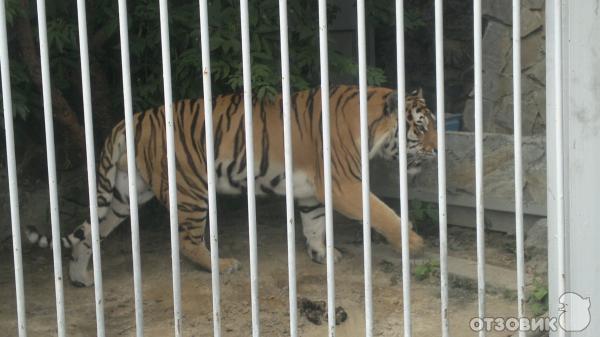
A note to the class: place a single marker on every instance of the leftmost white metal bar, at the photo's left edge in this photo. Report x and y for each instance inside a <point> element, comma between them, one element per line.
<point>12,174</point>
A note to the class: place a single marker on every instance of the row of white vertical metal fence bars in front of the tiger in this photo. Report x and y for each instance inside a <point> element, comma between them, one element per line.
<point>558,245</point>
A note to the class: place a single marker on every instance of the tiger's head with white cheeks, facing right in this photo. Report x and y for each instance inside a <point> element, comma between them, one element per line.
<point>421,133</point>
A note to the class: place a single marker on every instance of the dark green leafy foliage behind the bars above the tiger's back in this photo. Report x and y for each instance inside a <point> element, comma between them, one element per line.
<point>225,45</point>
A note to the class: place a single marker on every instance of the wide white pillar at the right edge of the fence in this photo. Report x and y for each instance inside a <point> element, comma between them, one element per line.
<point>579,23</point>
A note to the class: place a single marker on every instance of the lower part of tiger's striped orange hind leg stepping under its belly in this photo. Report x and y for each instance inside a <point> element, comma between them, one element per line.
<point>193,244</point>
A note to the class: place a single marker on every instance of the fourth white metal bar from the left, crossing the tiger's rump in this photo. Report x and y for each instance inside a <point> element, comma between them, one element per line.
<point>131,170</point>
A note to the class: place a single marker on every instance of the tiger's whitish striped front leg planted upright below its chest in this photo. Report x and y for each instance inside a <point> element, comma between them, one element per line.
<point>312,213</point>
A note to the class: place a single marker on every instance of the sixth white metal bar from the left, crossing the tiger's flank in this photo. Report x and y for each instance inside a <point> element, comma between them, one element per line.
<point>210,169</point>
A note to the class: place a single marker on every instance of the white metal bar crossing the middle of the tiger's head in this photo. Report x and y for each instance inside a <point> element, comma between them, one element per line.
<point>403,167</point>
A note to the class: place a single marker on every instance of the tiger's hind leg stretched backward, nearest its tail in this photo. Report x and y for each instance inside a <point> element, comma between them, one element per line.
<point>109,217</point>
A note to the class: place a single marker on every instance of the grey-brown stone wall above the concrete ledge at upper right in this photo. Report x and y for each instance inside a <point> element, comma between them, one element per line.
<point>497,68</point>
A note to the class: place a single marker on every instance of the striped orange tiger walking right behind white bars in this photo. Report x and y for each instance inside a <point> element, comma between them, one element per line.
<point>230,165</point>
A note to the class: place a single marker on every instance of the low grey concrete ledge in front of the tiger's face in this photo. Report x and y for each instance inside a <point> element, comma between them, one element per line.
<point>460,171</point>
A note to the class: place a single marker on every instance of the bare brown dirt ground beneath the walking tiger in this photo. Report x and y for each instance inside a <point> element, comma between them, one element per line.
<point>235,288</point>
